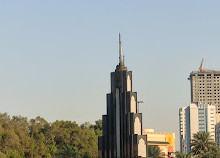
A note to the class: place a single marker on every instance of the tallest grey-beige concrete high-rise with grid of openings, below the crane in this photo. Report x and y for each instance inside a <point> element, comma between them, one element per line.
<point>205,87</point>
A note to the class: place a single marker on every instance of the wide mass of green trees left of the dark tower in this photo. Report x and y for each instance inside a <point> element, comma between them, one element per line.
<point>20,138</point>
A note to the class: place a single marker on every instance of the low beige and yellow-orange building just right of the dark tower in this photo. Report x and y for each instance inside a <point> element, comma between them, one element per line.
<point>165,141</point>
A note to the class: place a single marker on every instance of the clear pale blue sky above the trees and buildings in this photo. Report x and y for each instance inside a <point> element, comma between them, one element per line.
<point>56,56</point>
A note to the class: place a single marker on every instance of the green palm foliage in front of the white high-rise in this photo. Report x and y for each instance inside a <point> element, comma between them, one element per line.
<point>204,146</point>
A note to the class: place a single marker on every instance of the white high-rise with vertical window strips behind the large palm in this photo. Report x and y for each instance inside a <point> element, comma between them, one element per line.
<point>195,118</point>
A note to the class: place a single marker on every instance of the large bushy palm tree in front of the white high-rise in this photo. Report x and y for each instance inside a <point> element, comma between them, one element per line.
<point>202,143</point>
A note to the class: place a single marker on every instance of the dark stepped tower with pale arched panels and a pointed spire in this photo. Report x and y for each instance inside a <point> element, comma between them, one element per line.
<point>122,126</point>
